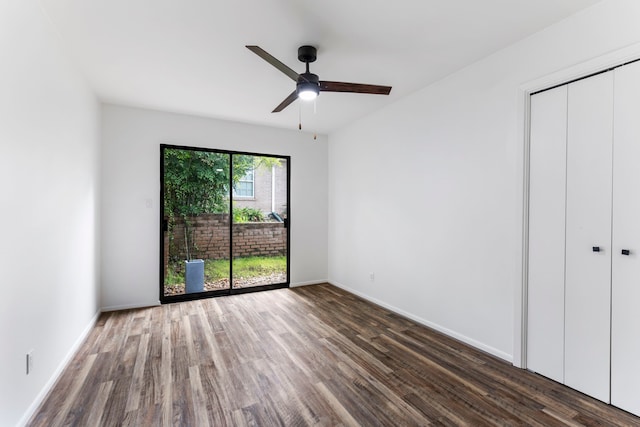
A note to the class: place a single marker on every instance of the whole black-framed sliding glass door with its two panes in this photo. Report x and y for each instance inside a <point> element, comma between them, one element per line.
<point>224,222</point>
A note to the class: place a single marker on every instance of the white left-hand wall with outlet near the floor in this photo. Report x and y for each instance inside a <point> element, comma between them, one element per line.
<point>49,193</point>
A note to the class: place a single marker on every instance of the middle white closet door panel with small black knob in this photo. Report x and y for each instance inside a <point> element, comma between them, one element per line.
<point>588,273</point>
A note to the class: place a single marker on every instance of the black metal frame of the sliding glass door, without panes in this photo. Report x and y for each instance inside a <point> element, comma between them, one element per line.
<point>163,225</point>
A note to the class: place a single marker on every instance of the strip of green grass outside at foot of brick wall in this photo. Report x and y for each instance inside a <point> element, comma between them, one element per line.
<point>219,269</point>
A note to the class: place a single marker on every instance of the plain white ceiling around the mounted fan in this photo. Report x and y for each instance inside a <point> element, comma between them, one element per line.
<point>188,56</point>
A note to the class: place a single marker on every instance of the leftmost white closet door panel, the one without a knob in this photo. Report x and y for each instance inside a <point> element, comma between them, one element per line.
<point>547,167</point>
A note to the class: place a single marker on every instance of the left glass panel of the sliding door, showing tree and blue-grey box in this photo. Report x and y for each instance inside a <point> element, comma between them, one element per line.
<point>196,221</point>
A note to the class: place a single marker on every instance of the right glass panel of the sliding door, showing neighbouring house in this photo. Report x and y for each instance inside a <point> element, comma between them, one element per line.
<point>260,213</point>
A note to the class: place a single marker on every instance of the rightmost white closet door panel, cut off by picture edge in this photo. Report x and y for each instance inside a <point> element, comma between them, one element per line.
<point>625,327</point>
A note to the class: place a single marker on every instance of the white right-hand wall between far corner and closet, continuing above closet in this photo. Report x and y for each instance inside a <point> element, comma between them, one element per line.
<point>434,201</point>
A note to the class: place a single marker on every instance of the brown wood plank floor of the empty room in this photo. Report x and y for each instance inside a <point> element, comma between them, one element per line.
<point>314,355</point>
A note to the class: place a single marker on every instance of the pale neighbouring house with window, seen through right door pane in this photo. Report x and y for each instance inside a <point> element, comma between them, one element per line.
<point>263,188</point>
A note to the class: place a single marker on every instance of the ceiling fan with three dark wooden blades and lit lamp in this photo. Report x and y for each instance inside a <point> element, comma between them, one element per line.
<point>309,85</point>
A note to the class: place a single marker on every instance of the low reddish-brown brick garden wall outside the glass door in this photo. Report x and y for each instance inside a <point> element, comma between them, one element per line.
<point>211,235</point>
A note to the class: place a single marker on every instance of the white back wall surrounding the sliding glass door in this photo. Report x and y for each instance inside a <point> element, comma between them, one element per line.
<point>131,177</point>
